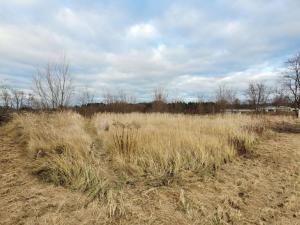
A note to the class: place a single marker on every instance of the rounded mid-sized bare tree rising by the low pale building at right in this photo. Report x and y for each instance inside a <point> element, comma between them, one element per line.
<point>257,94</point>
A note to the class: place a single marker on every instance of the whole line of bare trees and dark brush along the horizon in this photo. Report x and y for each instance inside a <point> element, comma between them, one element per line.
<point>54,89</point>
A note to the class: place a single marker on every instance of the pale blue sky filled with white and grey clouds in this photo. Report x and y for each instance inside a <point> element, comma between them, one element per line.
<point>186,47</point>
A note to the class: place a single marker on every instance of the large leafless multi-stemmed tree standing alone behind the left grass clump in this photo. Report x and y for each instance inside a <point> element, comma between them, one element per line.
<point>53,85</point>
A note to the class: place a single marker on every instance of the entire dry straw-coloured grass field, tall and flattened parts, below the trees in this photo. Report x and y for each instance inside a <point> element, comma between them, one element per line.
<point>61,168</point>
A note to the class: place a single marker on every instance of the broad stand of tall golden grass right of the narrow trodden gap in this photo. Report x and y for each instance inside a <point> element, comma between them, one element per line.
<point>166,145</point>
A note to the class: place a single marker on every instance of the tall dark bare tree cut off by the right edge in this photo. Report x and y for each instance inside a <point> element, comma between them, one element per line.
<point>292,79</point>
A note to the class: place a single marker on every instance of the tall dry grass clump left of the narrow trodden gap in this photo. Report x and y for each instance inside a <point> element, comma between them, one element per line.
<point>61,151</point>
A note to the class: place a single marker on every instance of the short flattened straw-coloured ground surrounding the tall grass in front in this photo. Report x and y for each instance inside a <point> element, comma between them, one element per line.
<point>264,189</point>
